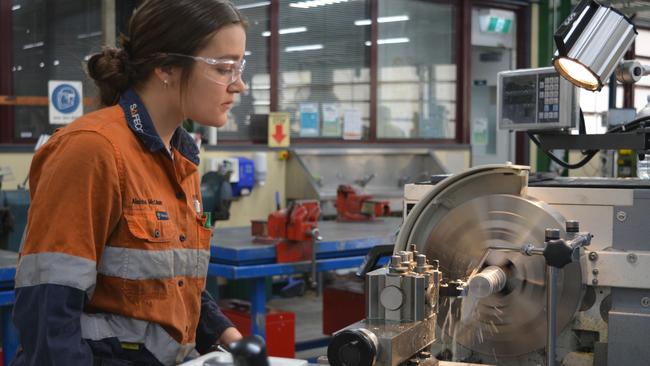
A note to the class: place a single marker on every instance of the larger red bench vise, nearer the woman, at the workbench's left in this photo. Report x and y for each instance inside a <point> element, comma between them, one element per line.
<point>293,230</point>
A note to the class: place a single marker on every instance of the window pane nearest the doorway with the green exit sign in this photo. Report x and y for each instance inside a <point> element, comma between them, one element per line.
<point>417,70</point>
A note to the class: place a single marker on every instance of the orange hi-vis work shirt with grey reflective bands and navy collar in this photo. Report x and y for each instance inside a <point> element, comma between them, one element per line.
<point>116,214</point>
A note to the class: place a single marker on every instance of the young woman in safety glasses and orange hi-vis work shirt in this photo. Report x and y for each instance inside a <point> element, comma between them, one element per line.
<point>112,269</point>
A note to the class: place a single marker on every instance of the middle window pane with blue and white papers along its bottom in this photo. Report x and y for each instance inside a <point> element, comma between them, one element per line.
<point>324,77</point>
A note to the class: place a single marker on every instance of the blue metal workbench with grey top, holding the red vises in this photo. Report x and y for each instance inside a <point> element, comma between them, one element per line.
<point>344,245</point>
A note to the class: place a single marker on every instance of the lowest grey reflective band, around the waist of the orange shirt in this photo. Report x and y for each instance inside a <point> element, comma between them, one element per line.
<point>157,341</point>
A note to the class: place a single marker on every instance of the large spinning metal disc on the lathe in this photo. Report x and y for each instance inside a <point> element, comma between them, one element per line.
<point>511,322</point>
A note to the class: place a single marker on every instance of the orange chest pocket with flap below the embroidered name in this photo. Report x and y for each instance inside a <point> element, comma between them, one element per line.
<point>144,224</point>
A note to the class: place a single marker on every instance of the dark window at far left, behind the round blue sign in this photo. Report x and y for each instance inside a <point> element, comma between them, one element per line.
<point>51,41</point>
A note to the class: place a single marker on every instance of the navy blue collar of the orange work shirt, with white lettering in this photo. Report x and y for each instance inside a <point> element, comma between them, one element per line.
<point>141,124</point>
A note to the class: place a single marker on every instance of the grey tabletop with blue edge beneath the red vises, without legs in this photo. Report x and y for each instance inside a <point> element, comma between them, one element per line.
<point>235,246</point>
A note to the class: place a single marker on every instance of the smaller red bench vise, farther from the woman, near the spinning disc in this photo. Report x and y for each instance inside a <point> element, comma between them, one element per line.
<point>352,205</point>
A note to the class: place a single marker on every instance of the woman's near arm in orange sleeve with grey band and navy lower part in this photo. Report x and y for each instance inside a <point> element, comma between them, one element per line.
<point>75,205</point>
